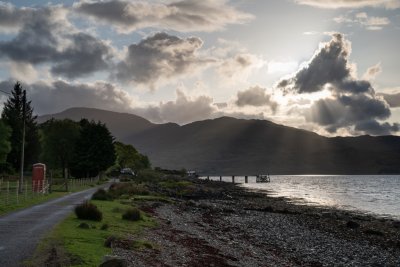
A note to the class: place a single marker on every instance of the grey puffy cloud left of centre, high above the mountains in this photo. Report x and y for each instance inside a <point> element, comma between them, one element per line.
<point>161,56</point>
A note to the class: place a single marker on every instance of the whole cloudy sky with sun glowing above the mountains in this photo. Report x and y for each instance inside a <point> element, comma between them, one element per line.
<point>327,66</point>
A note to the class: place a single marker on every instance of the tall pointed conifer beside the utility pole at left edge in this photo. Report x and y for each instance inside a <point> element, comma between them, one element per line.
<point>13,116</point>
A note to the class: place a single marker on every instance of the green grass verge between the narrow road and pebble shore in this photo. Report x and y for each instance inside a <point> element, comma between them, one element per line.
<point>85,247</point>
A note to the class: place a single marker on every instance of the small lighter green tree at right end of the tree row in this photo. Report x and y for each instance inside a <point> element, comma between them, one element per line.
<point>129,157</point>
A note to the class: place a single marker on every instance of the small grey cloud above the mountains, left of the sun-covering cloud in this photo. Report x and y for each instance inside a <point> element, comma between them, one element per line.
<point>255,96</point>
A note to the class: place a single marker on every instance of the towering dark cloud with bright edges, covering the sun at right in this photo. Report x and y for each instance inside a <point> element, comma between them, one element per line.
<point>352,104</point>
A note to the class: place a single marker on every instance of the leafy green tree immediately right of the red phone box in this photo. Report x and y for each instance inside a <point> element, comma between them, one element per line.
<point>59,138</point>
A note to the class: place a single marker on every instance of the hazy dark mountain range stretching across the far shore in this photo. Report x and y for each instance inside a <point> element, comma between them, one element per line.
<point>229,146</point>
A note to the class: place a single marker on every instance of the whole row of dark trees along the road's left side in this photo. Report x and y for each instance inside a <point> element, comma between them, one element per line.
<point>76,149</point>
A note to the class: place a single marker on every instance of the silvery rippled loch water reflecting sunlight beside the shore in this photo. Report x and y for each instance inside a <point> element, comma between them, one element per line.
<point>373,194</point>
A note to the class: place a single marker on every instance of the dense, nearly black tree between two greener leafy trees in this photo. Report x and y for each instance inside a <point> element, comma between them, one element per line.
<point>94,150</point>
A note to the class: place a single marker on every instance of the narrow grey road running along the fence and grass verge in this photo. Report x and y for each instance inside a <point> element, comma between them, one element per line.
<point>21,231</point>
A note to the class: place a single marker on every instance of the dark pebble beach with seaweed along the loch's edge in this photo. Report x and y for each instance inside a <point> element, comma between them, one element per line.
<point>221,224</point>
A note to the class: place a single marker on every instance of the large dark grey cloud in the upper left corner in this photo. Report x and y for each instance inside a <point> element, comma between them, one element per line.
<point>47,37</point>
